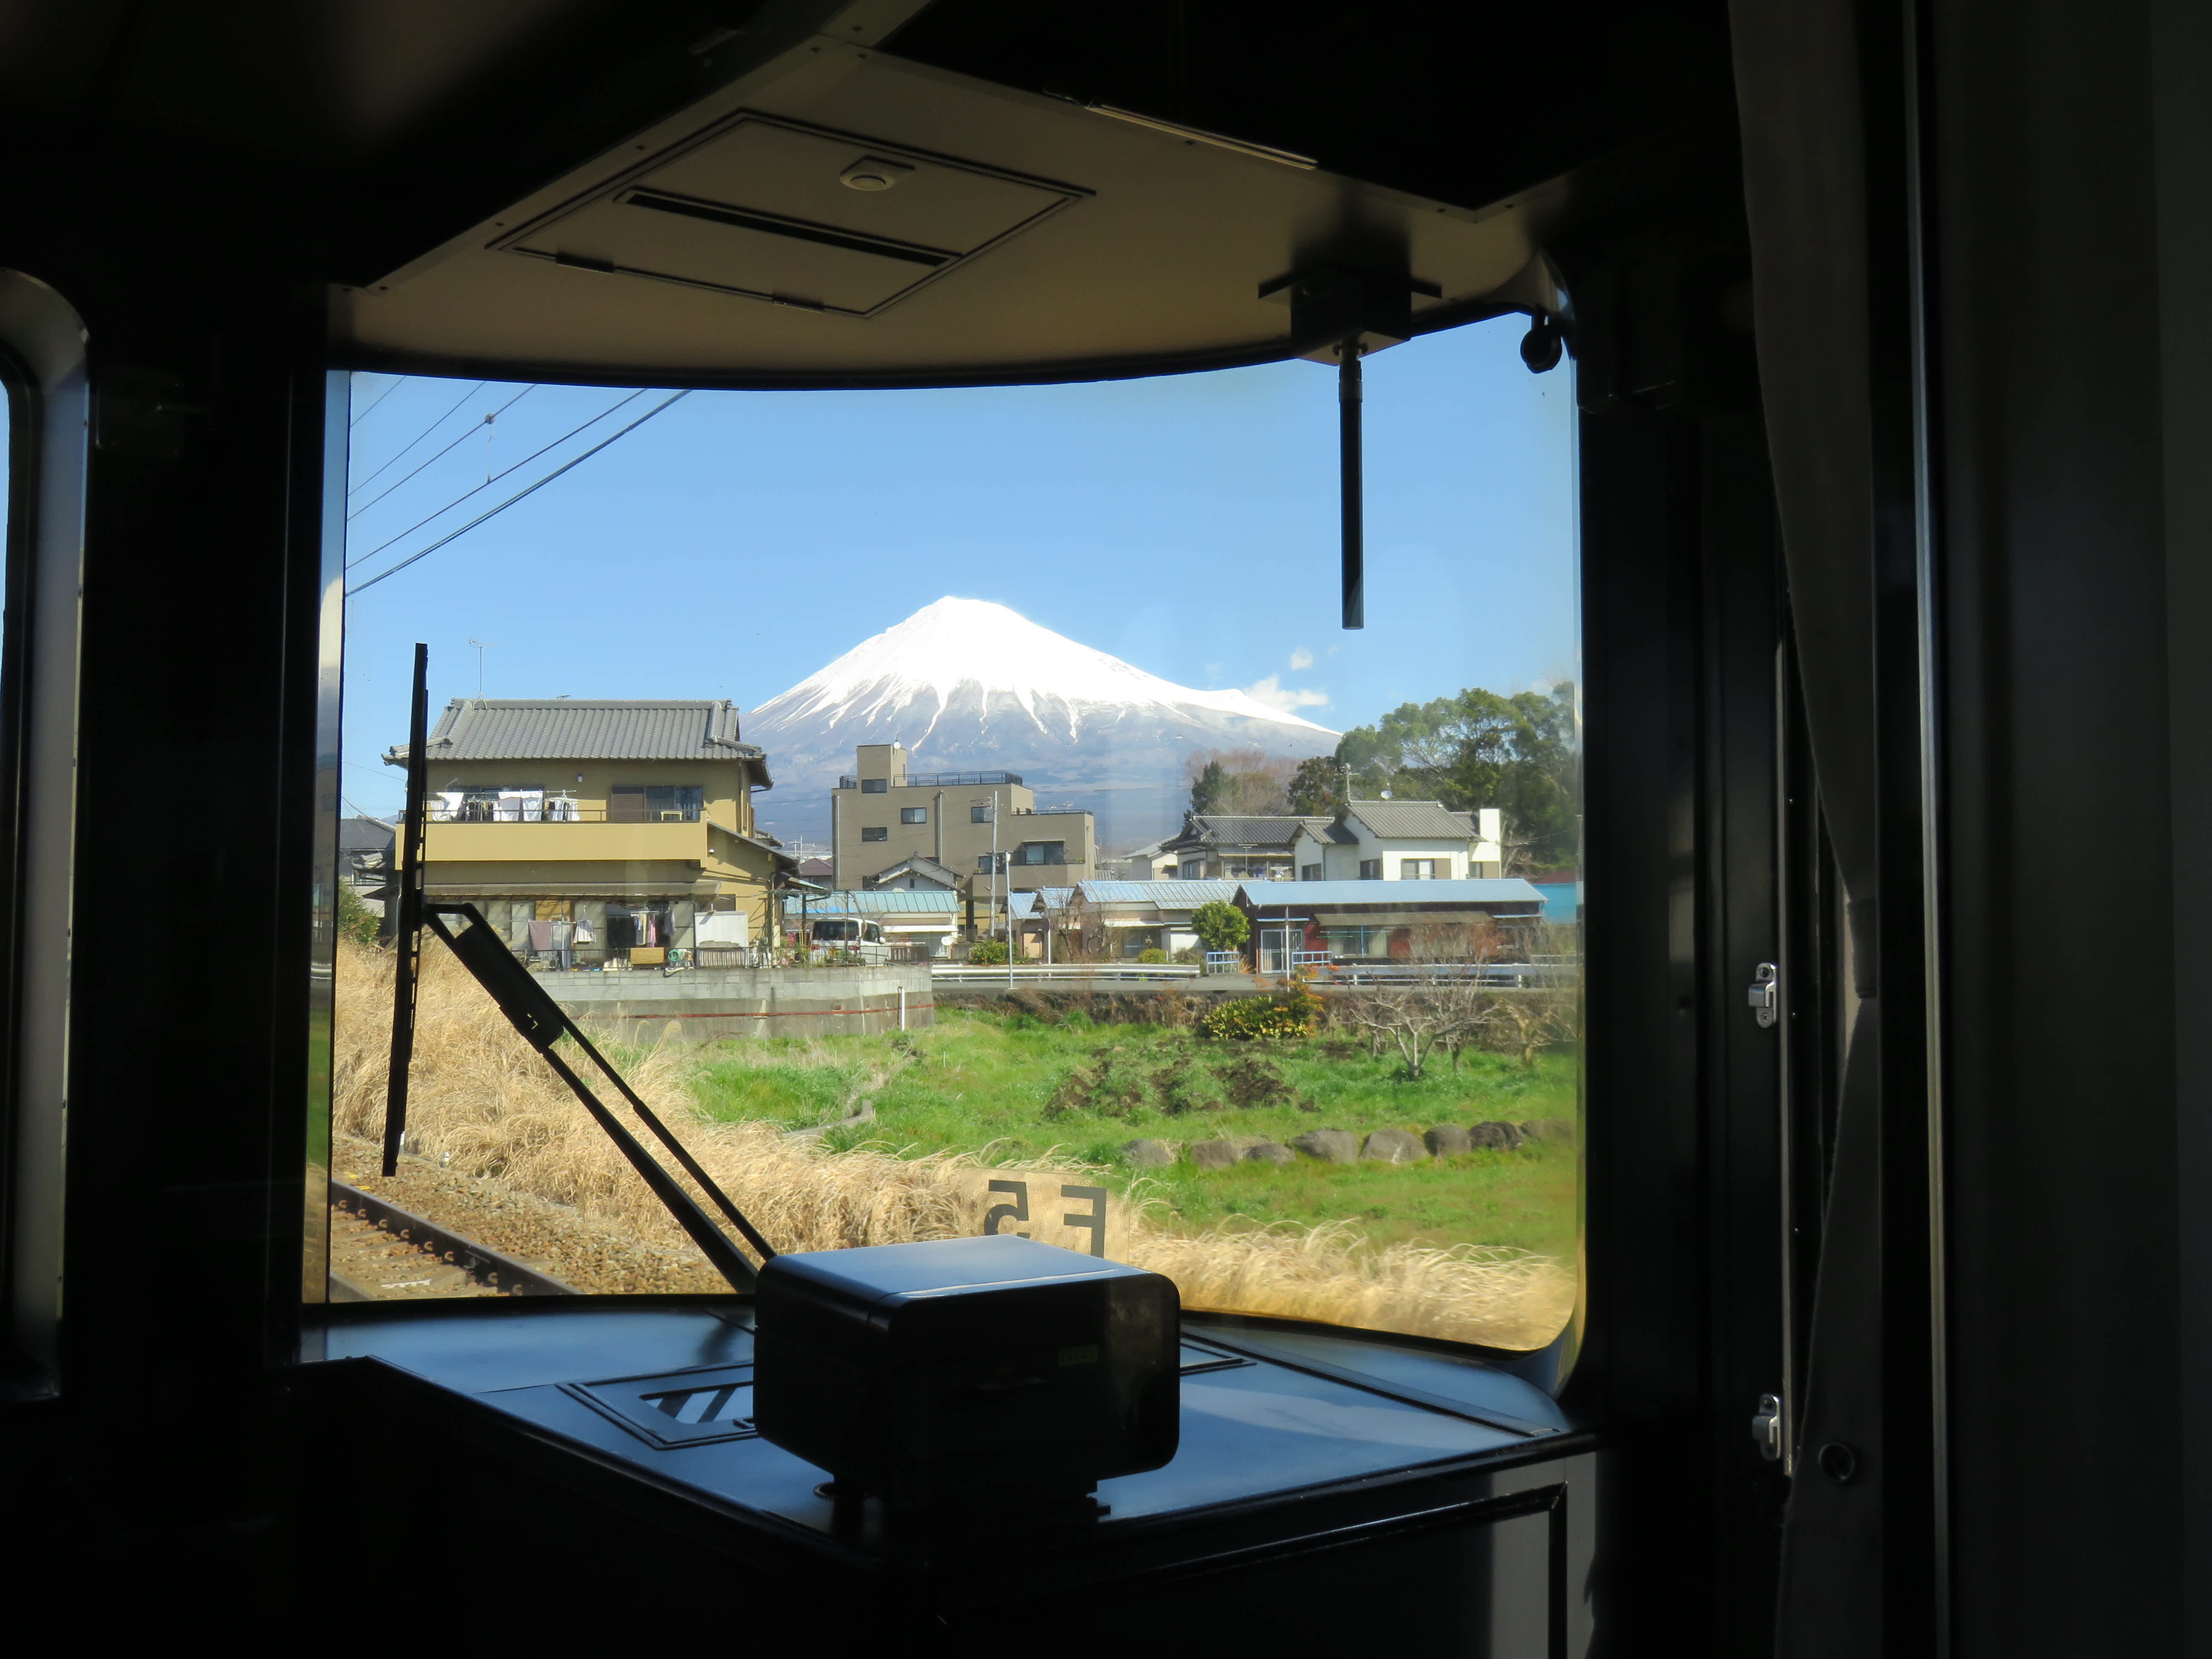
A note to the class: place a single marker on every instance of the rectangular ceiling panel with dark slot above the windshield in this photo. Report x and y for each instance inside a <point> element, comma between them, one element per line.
<point>797,216</point>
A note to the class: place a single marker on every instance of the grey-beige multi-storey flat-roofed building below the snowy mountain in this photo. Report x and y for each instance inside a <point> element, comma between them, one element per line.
<point>884,815</point>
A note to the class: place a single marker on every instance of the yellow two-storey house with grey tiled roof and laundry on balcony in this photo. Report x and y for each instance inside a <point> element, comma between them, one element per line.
<point>601,831</point>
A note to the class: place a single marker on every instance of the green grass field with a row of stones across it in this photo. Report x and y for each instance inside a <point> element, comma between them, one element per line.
<point>1023,1089</point>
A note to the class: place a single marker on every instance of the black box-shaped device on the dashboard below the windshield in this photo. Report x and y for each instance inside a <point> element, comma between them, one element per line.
<point>968,1370</point>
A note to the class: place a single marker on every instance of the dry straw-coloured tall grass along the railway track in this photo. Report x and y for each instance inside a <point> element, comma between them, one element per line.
<point>486,1103</point>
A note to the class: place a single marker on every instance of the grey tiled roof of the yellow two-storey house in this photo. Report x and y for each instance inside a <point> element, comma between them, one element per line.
<point>567,729</point>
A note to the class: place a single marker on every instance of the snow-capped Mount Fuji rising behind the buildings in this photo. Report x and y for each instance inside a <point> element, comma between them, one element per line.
<point>972,687</point>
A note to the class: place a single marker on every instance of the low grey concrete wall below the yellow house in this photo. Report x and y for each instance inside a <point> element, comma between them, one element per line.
<point>705,1005</point>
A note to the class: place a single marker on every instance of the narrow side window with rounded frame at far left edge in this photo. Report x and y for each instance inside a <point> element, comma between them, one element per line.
<point>43,417</point>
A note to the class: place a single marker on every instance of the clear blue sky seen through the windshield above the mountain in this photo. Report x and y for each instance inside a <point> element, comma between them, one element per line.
<point>1187,523</point>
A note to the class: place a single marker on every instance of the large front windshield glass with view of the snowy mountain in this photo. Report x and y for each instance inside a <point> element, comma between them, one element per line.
<point>961,811</point>
